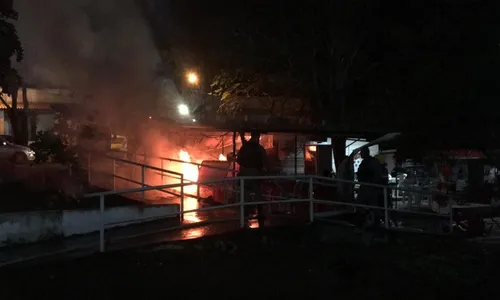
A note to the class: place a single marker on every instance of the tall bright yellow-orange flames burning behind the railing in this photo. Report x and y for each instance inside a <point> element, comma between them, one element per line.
<point>190,172</point>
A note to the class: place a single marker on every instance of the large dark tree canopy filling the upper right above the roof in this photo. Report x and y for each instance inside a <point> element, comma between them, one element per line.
<point>361,65</point>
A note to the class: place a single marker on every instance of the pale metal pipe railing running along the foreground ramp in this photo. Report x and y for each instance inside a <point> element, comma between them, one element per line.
<point>242,203</point>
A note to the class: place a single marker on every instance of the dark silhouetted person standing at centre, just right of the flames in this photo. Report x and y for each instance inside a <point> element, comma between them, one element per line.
<point>252,159</point>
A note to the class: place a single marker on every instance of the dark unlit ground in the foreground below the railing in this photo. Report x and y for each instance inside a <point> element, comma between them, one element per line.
<point>274,263</point>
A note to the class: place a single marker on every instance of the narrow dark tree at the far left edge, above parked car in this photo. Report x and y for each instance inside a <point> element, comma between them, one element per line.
<point>10,81</point>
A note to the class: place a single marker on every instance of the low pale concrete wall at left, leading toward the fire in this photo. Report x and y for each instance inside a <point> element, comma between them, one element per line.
<point>29,227</point>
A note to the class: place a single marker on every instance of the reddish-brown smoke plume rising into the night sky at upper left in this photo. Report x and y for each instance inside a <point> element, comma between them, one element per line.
<point>102,50</point>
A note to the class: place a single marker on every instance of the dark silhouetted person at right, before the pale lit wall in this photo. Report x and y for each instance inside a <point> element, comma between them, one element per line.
<point>369,171</point>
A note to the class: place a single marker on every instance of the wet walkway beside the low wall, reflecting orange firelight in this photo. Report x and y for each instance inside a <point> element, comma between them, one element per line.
<point>208,223</point>
